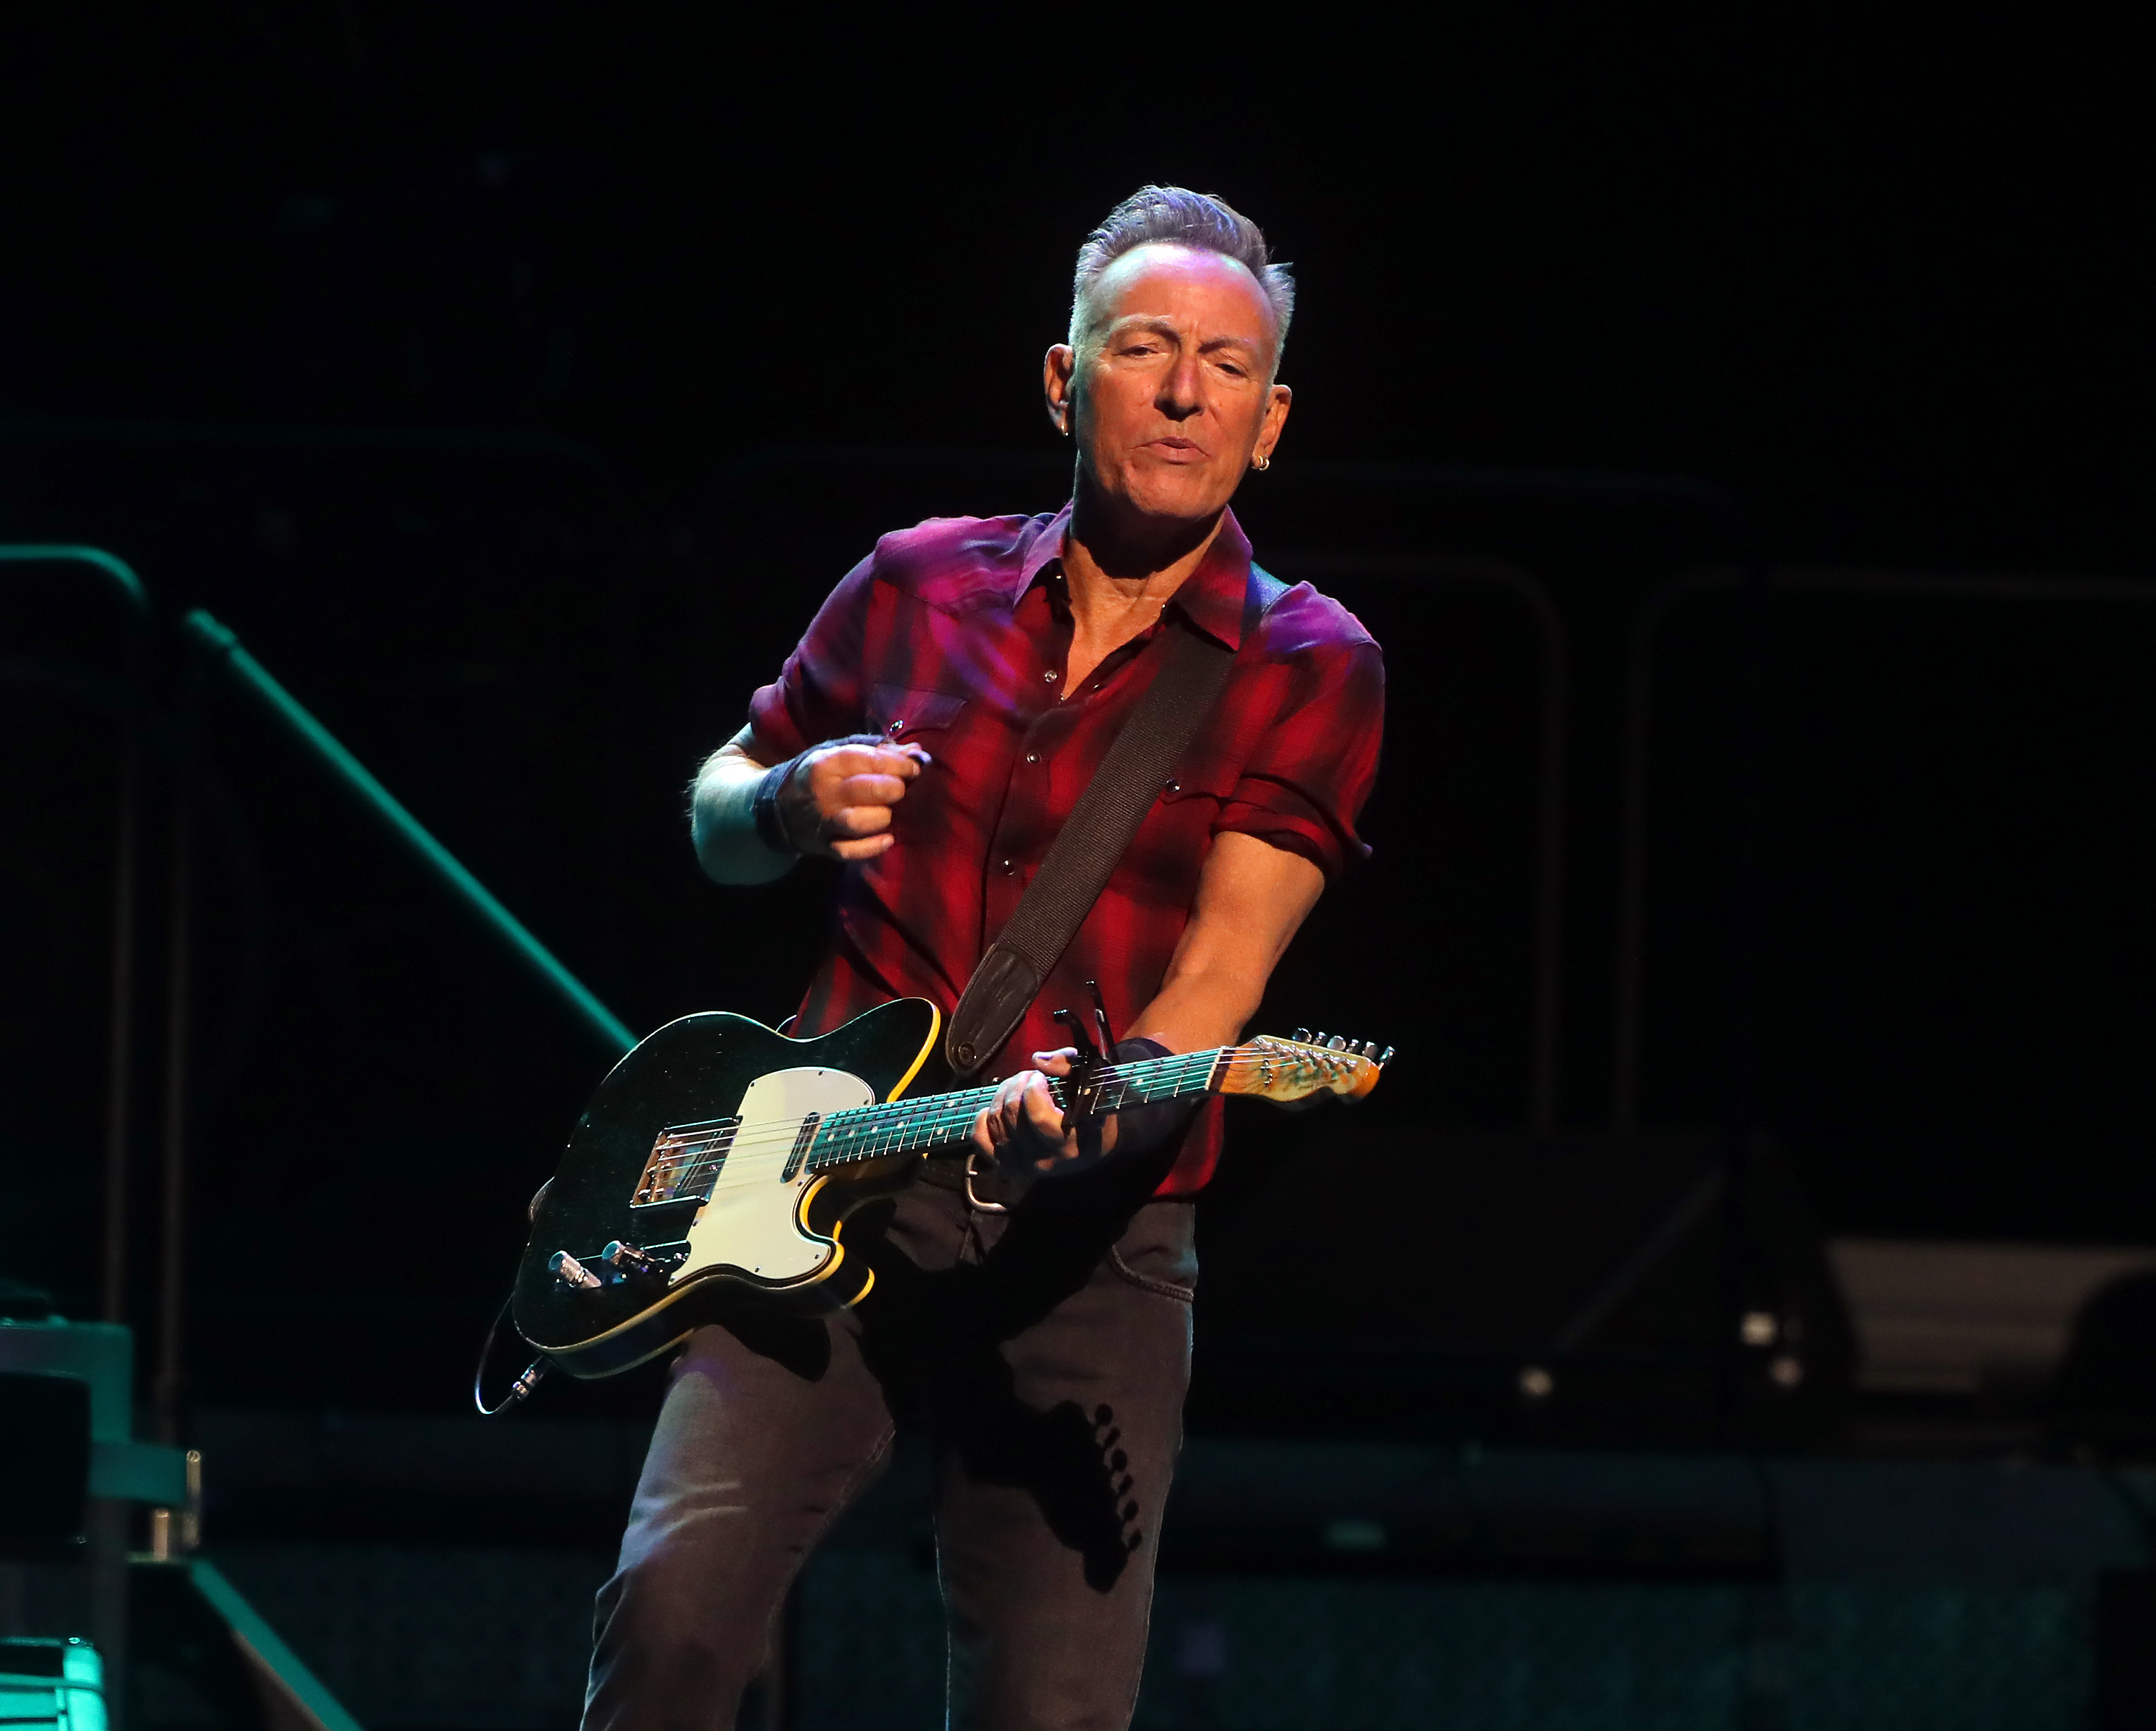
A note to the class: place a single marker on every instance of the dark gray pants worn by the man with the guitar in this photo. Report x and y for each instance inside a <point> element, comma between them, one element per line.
<point>1047,1353</point>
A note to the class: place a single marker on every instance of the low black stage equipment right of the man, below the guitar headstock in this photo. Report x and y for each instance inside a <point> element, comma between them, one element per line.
<point>1515,1288</point>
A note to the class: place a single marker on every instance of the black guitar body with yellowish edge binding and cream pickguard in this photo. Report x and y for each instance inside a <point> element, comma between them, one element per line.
<point>723,1098</point>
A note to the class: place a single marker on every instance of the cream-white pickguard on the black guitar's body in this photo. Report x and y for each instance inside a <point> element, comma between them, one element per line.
<point>749,1221</point>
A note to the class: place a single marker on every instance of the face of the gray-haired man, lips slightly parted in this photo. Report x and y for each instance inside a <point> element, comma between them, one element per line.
<point>1172,385</point>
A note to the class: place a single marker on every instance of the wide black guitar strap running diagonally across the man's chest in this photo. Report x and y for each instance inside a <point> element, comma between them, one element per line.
<point>1094,837</point>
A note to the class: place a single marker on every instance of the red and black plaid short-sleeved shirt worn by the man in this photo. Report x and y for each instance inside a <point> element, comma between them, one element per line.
<point>956,635</point>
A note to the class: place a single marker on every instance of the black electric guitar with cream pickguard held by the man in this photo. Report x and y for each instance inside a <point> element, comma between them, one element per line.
<point>719,1161</point>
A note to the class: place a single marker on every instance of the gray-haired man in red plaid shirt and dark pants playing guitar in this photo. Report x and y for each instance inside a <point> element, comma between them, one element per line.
<point>935,730</point>
